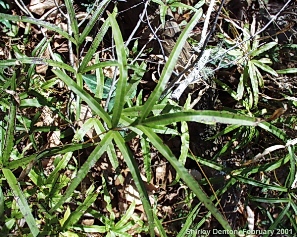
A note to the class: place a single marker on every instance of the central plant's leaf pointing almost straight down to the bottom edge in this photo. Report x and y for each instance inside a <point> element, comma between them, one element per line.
<point>133,167</point>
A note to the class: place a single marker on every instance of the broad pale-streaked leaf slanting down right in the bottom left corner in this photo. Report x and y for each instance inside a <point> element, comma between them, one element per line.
<point>21,201</point>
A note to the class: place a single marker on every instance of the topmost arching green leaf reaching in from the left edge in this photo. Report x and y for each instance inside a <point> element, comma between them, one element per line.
<point>35,21</point>
